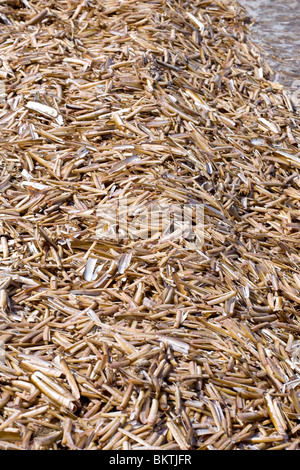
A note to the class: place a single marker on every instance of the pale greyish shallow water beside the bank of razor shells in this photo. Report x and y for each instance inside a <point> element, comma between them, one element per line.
<point>277,32</point>
